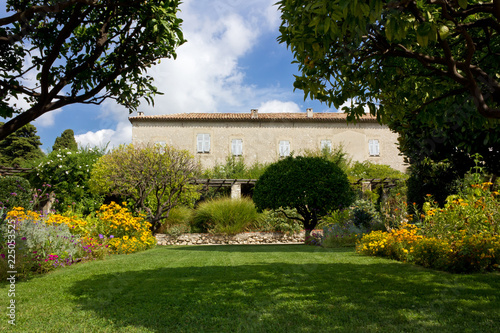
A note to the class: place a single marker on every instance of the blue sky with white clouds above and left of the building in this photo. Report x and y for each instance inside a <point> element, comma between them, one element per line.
<point>230,63</point>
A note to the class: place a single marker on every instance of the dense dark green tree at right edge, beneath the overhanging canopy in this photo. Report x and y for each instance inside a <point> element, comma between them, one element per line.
<point>449,133</point>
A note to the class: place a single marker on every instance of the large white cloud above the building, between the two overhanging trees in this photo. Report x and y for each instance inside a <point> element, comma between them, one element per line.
<point>206,76</point>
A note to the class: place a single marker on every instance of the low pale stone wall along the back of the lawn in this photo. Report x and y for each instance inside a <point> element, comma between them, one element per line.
<point>242,238</point>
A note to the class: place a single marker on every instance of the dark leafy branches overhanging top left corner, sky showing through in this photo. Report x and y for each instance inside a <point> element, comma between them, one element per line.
<point>81,51</point>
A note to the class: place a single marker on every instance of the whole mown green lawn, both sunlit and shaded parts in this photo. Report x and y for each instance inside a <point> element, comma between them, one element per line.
<point>275,288</point>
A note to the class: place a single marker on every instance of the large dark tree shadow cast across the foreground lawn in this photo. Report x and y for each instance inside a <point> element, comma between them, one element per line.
<point>384,297</point>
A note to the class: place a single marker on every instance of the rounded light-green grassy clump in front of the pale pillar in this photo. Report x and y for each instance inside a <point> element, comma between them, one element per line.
<point>226,215</point>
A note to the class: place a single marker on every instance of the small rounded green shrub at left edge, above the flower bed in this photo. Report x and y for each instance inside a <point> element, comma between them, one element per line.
<point>14,192</point>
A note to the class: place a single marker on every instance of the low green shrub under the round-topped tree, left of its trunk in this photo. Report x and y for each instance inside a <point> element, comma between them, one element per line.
<point>278,221</point>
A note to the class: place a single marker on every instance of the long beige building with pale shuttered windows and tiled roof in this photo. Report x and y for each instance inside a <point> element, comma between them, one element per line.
<point>266,137</point>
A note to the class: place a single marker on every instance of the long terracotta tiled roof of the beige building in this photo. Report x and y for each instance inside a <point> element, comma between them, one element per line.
<point>302,116</point>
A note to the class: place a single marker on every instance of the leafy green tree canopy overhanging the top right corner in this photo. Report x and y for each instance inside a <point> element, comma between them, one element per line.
<point>395,57</point>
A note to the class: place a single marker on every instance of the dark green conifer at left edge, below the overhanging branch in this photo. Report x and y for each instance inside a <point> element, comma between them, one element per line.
<point>20,147</point>
